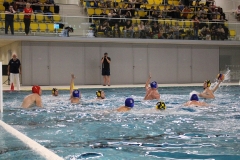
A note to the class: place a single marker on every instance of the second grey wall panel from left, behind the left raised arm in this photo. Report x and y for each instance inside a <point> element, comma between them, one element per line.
<point>66,58</point>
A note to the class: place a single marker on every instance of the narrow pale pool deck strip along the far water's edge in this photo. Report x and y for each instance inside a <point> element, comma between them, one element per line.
<point>27,88</point>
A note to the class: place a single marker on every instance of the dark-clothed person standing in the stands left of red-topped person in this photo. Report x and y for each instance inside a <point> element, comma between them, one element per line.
<point>9,19</point>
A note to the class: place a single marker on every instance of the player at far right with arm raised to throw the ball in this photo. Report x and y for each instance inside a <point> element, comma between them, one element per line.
<point>208,93</point>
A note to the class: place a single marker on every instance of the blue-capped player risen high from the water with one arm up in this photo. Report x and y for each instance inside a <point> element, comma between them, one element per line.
<point>151,92</point>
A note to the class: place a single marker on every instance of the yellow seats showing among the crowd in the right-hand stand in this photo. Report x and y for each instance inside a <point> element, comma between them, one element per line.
<point>143,13</point>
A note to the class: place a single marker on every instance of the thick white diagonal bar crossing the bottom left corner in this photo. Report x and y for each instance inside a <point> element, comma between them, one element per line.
<point>46,153</point>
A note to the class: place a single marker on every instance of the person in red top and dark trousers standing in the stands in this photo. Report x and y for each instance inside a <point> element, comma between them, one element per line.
<point>27,17</point>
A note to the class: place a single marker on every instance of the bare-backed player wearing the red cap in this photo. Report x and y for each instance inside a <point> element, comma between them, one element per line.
<point>34,98</point>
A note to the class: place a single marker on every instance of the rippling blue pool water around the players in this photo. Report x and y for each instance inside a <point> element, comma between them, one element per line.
<point>93,129</point>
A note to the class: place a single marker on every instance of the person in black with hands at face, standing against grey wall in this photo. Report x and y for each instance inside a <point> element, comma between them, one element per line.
<point>106,69</point>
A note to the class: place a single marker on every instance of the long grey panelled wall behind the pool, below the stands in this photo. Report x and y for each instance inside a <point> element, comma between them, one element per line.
<point>52,63</point>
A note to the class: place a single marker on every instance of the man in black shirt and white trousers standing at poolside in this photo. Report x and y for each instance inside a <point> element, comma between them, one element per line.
<point>14,69</point>
